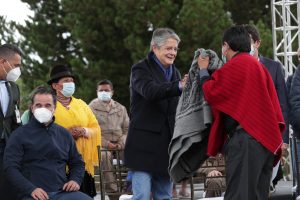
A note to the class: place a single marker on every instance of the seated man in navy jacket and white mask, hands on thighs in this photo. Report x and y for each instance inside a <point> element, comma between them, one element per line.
<point>37,155</point>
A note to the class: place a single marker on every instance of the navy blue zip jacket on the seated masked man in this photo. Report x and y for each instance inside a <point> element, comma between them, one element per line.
<point>36,156</point>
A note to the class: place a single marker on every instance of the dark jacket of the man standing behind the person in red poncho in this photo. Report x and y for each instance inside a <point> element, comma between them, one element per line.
<point>276,71</point>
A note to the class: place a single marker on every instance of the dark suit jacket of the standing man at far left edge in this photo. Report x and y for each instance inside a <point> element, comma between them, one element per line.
<point>9,122</point>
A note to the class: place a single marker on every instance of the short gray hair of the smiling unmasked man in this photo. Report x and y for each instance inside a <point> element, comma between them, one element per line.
<point>160,35</point>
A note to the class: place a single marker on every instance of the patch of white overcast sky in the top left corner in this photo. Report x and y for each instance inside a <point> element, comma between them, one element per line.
<point>14,10</point>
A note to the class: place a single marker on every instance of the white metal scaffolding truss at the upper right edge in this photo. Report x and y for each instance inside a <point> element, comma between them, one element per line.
<point>286,32</point>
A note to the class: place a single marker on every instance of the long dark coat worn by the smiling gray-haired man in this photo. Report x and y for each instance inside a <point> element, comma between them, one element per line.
<point>153,102</point>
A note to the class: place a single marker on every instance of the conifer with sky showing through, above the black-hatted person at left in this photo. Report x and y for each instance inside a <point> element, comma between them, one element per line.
<point>46,42</point>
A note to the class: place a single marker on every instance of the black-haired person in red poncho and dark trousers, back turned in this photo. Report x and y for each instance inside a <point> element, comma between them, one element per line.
<point>247,116</point>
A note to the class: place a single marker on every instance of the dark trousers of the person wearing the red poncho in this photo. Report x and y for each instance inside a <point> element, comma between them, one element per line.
<point>248,168</point>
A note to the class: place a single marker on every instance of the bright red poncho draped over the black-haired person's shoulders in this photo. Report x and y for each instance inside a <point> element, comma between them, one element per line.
<point>244,90</point>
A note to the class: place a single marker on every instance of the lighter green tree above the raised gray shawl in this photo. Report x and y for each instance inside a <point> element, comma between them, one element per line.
<point>200,24</point>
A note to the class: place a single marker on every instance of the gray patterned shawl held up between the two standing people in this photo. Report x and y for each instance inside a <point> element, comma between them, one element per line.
<point>188,146</point>
